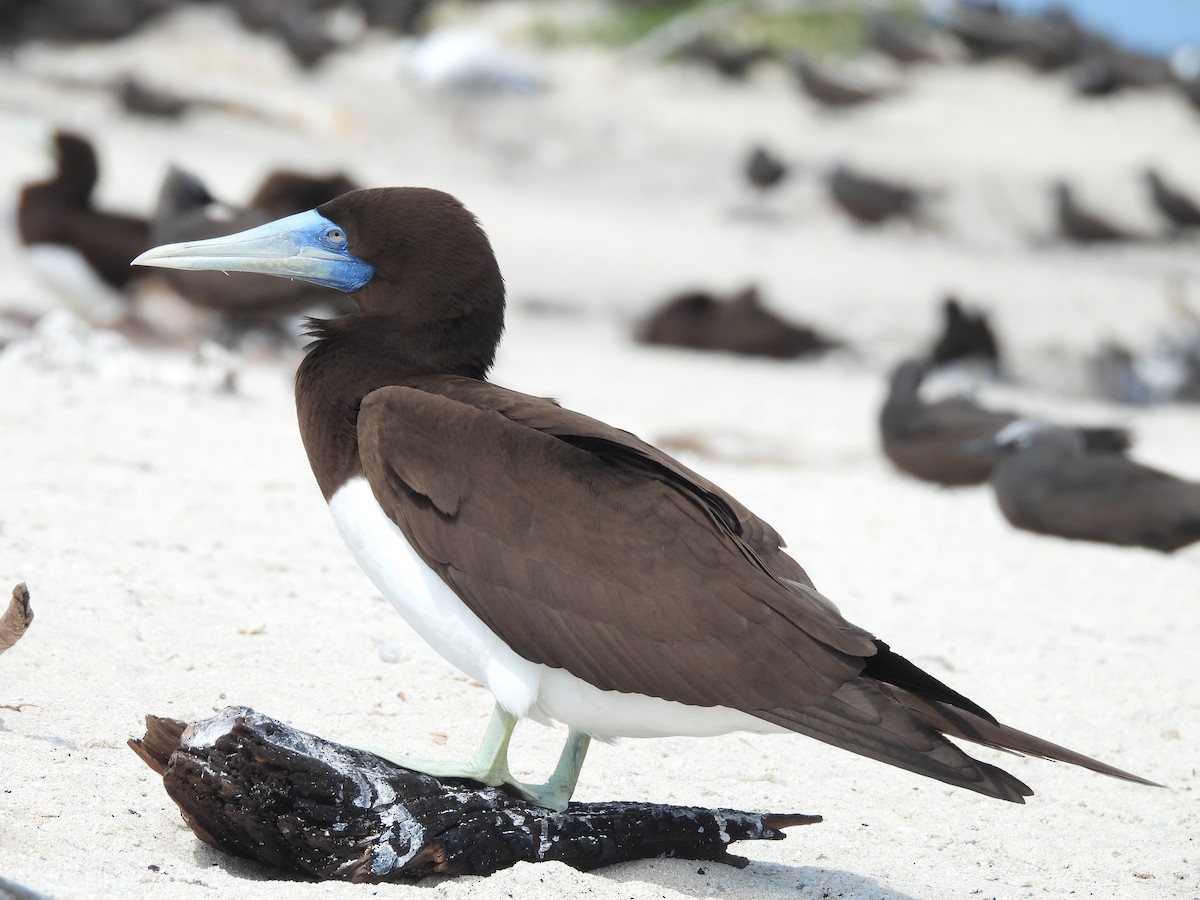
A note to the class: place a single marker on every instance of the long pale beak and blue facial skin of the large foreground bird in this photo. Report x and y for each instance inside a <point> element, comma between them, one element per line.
<point>308,247</point>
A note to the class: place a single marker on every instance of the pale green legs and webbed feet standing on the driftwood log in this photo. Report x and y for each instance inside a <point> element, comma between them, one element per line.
<point>491,765</point>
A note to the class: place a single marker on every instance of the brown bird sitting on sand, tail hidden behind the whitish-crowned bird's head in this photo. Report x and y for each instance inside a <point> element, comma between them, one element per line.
<point>949,442</point>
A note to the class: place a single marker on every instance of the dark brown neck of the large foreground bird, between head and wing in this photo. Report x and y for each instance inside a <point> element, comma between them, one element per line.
<point>357,355</point>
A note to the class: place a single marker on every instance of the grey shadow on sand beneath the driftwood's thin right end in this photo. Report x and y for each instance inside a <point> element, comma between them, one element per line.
<point>759,880</point>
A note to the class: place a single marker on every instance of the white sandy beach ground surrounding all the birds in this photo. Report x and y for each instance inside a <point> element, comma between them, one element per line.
<point>181,559</point>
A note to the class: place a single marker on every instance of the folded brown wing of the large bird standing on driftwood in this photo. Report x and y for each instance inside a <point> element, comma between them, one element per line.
<point>623,575</point>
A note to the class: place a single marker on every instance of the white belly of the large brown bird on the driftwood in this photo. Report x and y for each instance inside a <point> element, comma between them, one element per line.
<point>524,688</point>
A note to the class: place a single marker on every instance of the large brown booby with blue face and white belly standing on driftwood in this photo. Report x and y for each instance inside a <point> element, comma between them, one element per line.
<point>580,574</point>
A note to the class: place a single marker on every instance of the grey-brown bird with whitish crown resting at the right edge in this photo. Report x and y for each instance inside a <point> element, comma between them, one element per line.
<point>1047,483</point>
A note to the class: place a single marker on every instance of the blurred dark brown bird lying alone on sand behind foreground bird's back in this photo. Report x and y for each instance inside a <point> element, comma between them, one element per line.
<point>739,325</point>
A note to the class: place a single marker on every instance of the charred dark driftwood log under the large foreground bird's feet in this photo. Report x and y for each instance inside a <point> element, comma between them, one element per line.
<point>262,790</point>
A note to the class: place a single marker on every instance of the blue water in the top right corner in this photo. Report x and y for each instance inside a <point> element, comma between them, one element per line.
<point>1148,26</point>
